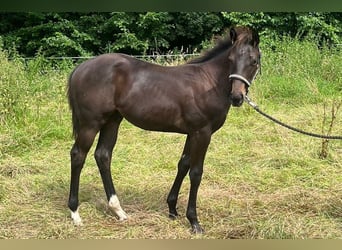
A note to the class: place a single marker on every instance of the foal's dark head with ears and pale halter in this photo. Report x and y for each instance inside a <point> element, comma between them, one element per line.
<point>244,57</point>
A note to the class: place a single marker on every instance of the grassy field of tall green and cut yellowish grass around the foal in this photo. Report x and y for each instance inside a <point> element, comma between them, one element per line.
<point>260,180</point>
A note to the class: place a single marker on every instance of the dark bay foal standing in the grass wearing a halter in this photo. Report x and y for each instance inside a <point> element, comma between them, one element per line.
<point>192,99</point>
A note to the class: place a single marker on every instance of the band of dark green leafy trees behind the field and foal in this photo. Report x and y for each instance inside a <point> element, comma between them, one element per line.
<point>82,34</point>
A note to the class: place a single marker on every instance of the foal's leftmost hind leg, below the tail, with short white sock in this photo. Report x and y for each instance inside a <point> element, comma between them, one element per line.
<point>78,154</point>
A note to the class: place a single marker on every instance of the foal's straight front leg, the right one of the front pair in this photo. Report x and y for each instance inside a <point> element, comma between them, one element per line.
<point>199,142</point>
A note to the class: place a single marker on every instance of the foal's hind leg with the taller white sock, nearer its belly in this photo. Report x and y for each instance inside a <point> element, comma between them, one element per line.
<point>103,156</point>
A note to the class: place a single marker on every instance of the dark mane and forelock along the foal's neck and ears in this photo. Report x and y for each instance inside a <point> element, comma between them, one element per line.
<point>244,35</point>
